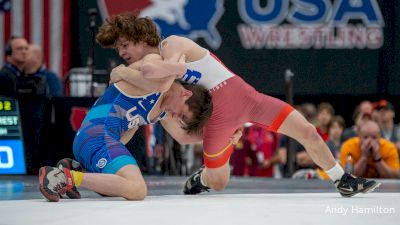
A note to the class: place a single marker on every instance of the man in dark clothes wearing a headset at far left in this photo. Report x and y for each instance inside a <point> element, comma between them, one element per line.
<point>16,52</point>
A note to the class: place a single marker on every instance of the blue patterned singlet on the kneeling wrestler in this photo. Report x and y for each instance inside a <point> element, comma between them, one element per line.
<point>97,144</point>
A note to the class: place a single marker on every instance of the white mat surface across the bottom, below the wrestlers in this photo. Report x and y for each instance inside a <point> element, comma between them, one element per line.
<point>246,209</point>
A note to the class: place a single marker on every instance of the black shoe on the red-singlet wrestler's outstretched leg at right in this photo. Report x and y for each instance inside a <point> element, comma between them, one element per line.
<point>350,185</point>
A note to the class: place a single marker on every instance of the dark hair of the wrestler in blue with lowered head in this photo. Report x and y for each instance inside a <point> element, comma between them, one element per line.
<point>200,104</point>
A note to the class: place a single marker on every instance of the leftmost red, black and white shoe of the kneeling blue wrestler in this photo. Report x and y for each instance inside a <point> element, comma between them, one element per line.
<point>54,182</point>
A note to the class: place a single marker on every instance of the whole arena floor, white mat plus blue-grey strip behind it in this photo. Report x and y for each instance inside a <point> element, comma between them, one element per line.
<point>245,201</point>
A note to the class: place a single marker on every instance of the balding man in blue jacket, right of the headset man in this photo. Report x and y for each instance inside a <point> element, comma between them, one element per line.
<point>34,66</point>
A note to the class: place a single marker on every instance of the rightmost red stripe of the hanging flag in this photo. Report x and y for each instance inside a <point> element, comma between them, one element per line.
<point>66,42</point>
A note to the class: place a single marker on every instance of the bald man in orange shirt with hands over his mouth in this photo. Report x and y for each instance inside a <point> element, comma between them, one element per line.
<point>372,156</point>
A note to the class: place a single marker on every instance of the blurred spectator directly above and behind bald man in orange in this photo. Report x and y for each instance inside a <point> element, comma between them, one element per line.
<point>361,114</point>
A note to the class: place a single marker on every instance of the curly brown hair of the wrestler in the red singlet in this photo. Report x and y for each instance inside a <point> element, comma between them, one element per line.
<point>130,26</point>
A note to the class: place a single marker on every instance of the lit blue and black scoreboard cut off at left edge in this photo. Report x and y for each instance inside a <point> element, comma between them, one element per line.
<point>12,160</point>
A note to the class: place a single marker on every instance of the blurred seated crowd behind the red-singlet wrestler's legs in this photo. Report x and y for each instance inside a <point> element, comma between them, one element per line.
<point>369,147</point>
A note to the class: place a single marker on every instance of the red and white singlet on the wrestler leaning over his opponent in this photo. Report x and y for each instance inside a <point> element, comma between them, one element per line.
<point>235,102</point>
